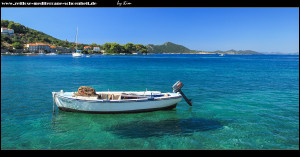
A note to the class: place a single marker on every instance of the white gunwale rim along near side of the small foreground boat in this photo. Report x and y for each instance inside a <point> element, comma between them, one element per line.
<point>120,101</point>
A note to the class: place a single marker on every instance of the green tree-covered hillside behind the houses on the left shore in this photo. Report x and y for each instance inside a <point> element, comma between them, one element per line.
<point>24,35</point>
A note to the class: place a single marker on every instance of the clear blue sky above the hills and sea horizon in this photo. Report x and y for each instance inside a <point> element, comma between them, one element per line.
<point>207,29</point>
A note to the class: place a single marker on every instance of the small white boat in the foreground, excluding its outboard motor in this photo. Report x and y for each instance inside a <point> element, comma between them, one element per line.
<point>116,101</point>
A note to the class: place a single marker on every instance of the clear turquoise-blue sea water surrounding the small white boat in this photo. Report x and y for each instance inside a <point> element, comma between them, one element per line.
<point>239,102</point>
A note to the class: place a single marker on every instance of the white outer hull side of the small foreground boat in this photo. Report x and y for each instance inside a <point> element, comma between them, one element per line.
<point>67,103</point>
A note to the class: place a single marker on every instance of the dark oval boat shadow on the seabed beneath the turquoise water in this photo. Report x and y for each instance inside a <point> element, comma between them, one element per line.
<point>142,129</point>
